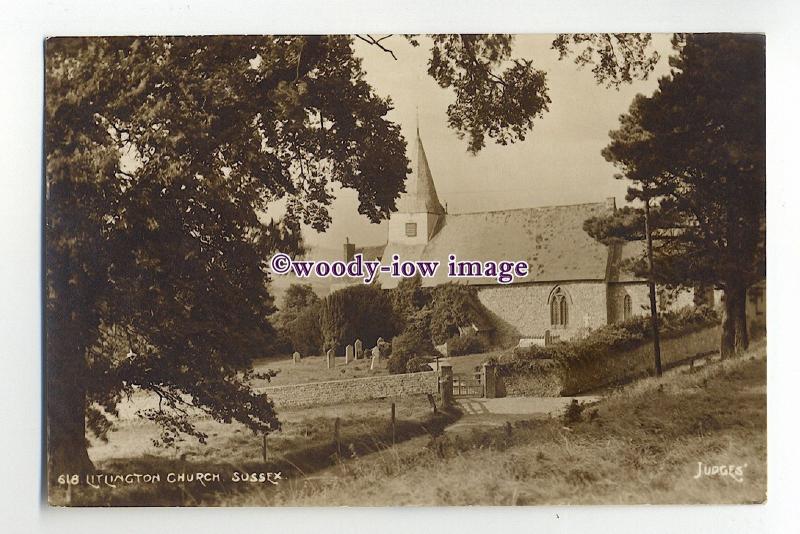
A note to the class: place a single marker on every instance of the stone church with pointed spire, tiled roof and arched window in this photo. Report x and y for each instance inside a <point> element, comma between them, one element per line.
<point>574,284</point>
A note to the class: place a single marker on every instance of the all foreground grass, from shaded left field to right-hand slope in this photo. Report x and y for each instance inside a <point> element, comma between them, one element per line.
<point>641,444</point>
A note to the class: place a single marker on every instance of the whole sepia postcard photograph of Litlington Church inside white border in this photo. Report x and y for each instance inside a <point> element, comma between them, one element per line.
<point>415,270</point>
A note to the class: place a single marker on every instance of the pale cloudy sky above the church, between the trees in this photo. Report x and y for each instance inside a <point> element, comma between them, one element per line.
<point>558,163</point>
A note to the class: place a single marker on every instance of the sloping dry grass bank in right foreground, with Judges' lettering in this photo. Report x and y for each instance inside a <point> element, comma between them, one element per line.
<point>641,445</point>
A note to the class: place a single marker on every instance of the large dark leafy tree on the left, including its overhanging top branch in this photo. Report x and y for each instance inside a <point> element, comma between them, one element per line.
<point>165,160</point>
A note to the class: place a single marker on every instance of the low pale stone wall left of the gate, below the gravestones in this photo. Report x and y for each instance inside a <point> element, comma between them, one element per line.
<point>352,390</point>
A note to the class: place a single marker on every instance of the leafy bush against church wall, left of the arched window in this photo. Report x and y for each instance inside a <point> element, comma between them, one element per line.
<point>454,305</point>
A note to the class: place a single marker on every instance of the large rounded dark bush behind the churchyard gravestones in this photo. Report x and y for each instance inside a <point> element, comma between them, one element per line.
<point>356,312</point>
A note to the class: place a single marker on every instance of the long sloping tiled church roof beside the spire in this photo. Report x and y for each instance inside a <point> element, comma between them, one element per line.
<point>551,239</point>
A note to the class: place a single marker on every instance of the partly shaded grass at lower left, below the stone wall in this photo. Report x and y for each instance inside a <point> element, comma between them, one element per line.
<point>303,447</point>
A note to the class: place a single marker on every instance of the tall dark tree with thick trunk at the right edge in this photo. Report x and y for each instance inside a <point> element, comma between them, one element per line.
<point>696,148</point>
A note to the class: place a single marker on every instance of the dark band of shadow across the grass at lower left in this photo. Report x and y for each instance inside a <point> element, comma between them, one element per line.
<point>356,438</point>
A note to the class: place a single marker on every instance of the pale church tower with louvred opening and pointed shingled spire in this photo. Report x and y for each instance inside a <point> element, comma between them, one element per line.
<point>419,213</point>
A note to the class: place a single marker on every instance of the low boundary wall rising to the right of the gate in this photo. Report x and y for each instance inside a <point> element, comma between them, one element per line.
<point>547,378</point>
